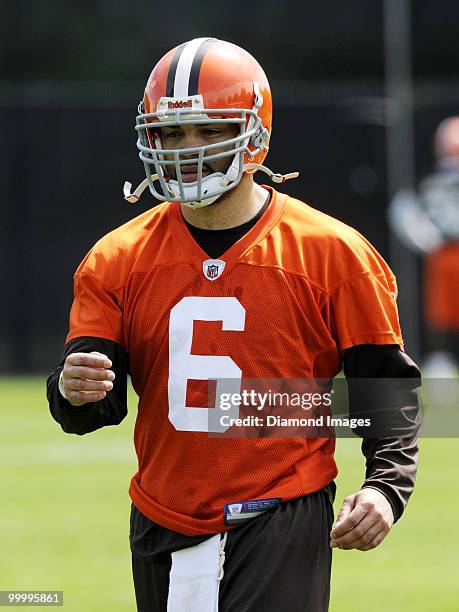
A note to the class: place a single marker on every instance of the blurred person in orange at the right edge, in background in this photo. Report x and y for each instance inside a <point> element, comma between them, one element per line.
<point>428,224</point>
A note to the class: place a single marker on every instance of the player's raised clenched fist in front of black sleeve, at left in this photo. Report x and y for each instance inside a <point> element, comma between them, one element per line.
<point>86,377</point>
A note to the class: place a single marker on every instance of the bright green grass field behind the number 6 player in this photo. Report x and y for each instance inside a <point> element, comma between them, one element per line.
<point>65,517</point>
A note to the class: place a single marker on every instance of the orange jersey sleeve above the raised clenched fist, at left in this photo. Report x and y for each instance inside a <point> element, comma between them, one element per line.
<point>97,308</point>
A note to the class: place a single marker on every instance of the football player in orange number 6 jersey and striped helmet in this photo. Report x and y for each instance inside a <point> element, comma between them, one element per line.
<point>226,281</point>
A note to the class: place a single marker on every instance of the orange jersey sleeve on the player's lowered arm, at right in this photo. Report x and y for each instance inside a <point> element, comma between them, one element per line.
<point>363,306</point>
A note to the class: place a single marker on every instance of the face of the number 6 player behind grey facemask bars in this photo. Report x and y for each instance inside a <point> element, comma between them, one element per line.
<point>187,136</point>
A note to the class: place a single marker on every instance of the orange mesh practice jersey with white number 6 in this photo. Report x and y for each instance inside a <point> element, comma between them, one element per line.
<point>296,290</point>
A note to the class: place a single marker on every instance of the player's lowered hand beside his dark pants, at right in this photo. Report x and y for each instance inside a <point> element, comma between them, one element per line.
<point>364,520</point>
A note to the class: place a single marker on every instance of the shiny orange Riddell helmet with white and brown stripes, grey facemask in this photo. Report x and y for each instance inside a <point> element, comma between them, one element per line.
<point>204,81</point>
